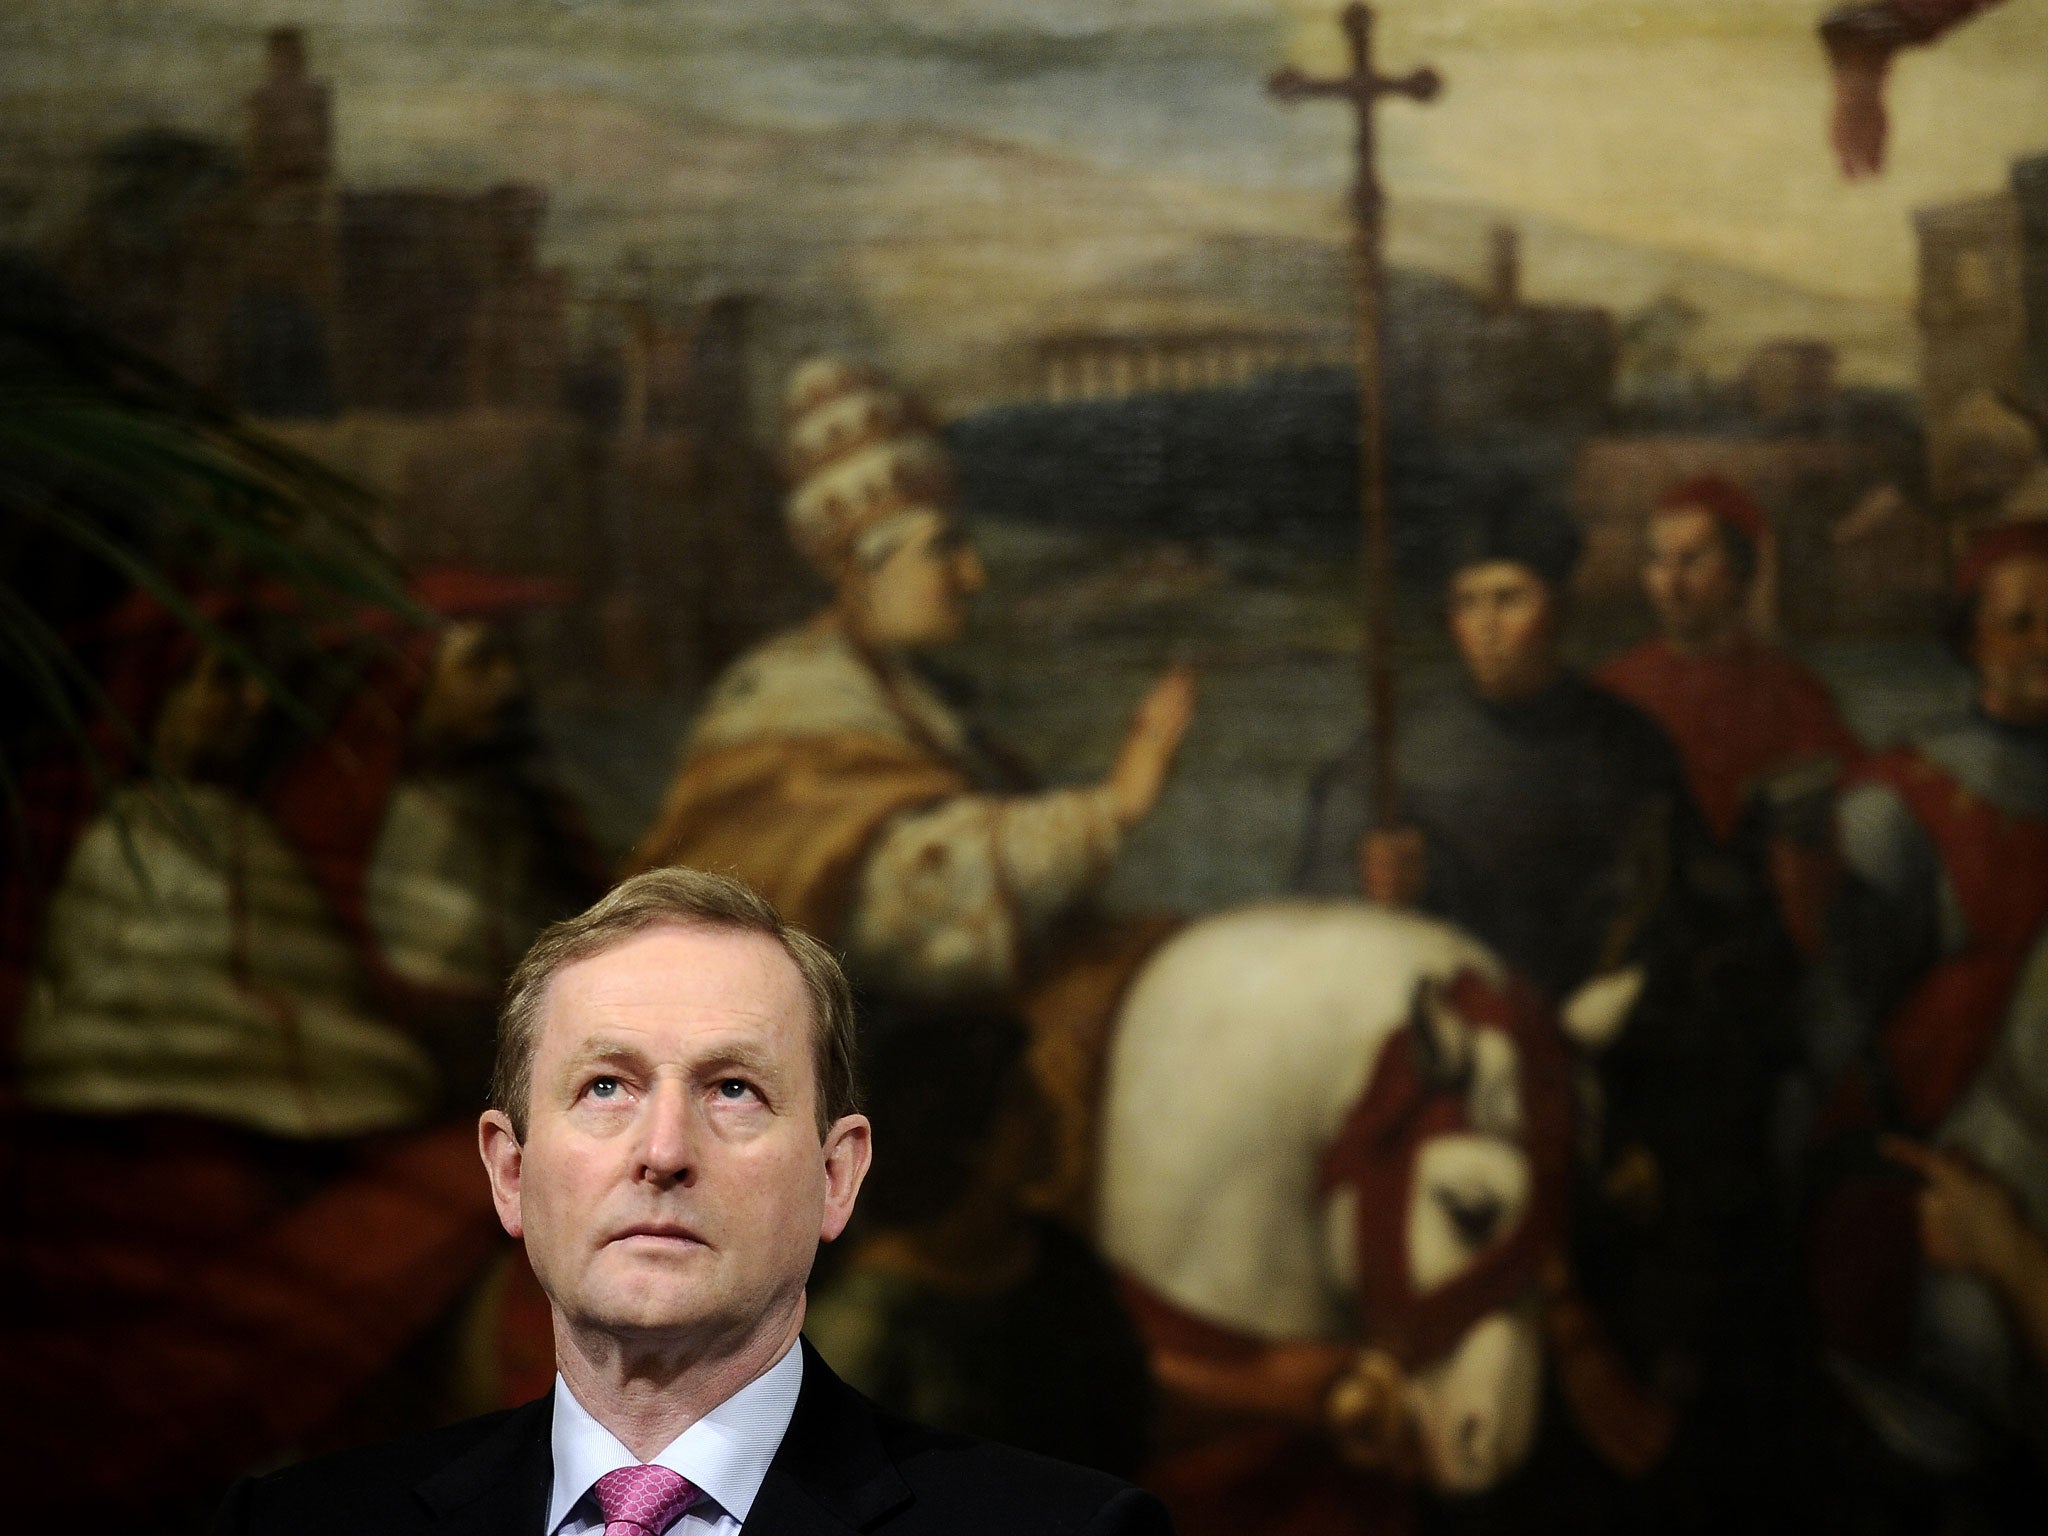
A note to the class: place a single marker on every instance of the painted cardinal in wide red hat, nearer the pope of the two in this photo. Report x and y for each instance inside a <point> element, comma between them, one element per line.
<point>431,822</point>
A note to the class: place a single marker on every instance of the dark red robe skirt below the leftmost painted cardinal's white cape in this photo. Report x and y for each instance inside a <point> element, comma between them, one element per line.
<point>185,1302</point>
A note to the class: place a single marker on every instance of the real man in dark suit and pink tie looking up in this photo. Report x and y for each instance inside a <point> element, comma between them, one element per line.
<point>673,1132</point>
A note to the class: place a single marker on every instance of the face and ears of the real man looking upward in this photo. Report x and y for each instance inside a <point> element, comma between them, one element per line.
<point>673,1187</point>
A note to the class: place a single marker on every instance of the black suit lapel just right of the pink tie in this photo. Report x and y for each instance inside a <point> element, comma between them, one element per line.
<point>830,1474</point>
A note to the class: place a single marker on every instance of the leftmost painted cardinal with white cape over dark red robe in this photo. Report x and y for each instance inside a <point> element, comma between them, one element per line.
<point>232,1201</point>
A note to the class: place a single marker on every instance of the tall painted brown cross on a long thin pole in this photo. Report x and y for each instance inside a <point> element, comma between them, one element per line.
<point>1365,89</point>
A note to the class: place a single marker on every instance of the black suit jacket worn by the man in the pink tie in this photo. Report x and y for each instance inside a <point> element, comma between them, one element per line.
<point>843,1467</point>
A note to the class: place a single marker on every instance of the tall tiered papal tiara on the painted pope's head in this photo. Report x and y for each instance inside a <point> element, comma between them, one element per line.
<point>863,460</point>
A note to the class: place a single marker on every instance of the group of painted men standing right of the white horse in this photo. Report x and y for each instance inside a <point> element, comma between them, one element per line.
<point>1844,966</point>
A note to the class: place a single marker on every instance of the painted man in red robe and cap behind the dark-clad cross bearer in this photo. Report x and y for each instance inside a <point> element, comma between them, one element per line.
<point>1758,732</point>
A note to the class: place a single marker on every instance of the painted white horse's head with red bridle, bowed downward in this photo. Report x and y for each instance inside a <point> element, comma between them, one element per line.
<point>1447,1195</point>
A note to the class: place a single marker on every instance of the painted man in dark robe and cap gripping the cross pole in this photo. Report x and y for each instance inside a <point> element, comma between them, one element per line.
<point>1551,820</point>
